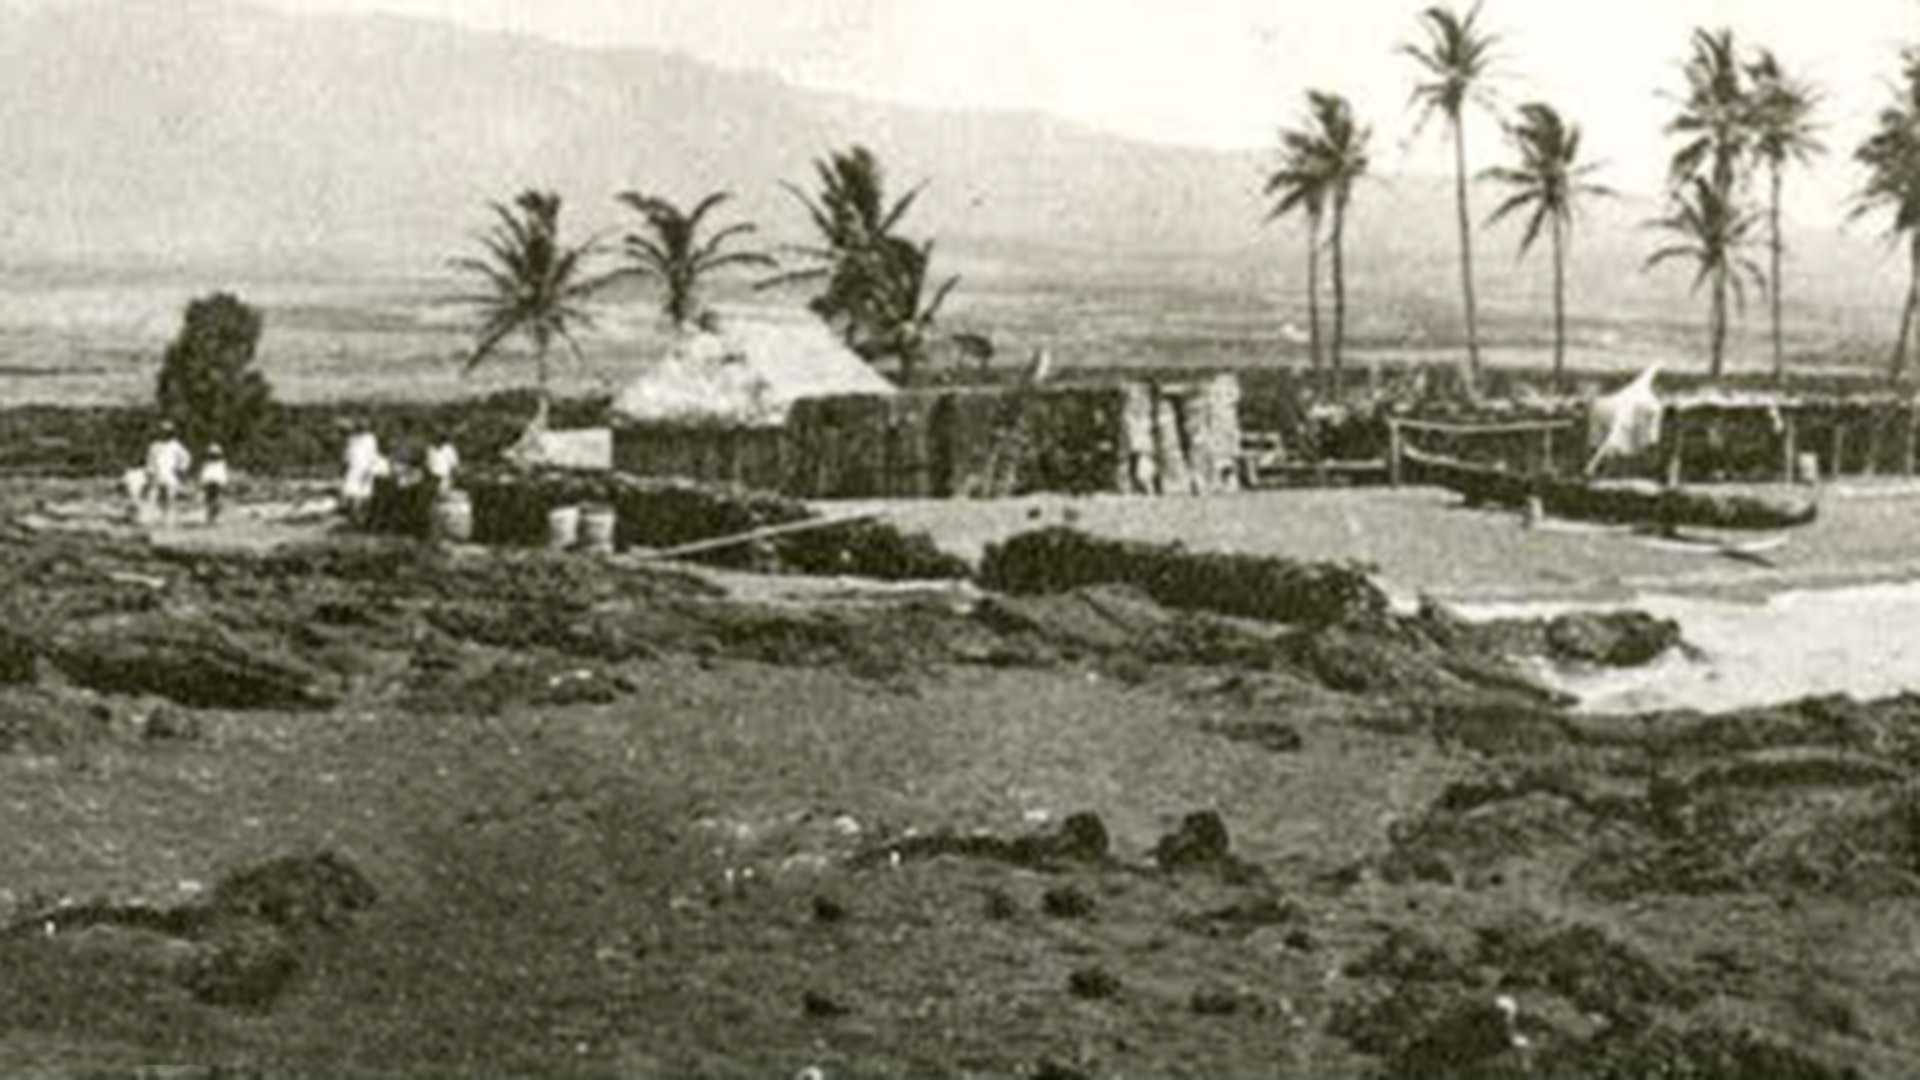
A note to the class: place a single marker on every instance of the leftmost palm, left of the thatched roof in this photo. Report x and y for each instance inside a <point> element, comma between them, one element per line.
<point>533,285</point>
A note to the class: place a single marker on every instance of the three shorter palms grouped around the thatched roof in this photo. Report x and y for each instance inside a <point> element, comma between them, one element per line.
<point>875,283</point>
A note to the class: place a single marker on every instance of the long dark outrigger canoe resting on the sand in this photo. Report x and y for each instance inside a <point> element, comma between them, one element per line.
<point>1614,503</point>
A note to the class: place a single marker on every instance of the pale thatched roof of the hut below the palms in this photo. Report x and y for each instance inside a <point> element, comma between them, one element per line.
<point>746,376</point>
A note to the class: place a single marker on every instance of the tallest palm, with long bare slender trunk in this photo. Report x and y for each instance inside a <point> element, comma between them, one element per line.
<point>1454,64</point>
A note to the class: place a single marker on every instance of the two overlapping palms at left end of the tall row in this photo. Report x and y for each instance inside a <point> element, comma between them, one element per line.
<point>1320,164</point>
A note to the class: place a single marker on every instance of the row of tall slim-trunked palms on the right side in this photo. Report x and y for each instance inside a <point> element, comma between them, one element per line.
<point>1739,116</point>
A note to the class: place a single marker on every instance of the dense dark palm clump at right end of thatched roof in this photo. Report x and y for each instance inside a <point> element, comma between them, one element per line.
<point>876,283</point>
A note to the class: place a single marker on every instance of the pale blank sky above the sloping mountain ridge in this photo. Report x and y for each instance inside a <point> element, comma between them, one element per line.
<point>1230,72</point>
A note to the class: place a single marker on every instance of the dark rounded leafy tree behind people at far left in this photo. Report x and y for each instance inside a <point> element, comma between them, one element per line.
<point>208,383</point>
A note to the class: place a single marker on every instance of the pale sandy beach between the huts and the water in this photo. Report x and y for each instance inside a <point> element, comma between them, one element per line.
<point>1424,541</point>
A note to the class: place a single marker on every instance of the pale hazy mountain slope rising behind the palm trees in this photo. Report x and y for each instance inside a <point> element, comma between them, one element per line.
<point>214,132</point>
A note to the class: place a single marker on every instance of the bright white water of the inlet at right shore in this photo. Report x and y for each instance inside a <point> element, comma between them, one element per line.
<point>1861,641</point>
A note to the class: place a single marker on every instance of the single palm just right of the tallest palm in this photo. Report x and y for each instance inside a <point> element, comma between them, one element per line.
<point>1550,182</point>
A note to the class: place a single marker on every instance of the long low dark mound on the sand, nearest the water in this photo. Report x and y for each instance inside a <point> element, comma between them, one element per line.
<point>1059,560</point>
